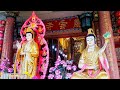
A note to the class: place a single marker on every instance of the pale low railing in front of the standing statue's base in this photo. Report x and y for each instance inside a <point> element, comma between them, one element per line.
<point>13,76</point>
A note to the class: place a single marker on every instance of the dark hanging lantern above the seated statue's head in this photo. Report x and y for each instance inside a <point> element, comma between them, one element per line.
<point>86,21</point>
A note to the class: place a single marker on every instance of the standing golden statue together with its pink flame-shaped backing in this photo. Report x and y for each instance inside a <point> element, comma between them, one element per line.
<point>32,57</point>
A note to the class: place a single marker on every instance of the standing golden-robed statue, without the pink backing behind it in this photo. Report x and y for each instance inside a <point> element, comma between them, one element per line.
<point>28,54</point>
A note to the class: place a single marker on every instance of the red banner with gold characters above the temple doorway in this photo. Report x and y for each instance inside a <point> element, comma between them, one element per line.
<point>62,24</point>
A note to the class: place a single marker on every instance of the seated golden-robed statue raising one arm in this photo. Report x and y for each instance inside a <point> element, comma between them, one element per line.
<point>93,62</point>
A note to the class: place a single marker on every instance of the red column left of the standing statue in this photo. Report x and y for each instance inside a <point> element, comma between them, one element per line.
<point>7,50</point>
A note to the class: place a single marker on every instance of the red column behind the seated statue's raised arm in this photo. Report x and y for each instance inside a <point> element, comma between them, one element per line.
<point>105,26</point>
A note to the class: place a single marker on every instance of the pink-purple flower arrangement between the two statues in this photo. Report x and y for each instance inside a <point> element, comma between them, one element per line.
<point>62,69</point>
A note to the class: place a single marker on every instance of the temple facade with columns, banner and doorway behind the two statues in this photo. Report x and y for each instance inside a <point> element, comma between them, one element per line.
<point>65,35</point>
